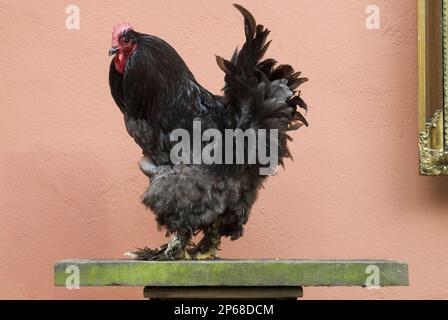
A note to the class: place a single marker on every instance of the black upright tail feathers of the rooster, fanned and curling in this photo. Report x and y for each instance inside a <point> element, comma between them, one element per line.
<point>261,94</point>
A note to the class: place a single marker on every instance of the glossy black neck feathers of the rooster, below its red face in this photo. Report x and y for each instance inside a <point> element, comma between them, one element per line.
<point>155,81</point>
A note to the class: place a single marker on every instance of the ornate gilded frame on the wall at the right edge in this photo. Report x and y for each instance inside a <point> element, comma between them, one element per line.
<point>433,133</point>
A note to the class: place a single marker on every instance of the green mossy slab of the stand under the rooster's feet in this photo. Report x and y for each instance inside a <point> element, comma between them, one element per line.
<point>231,273</point>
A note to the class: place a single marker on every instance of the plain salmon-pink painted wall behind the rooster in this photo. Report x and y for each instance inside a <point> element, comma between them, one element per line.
<point>70,185</point>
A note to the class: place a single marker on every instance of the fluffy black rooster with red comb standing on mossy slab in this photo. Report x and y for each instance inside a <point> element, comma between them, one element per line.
<point>157,94</point>
